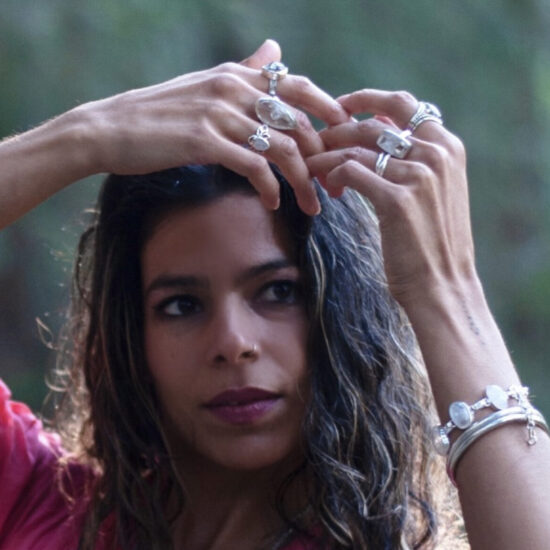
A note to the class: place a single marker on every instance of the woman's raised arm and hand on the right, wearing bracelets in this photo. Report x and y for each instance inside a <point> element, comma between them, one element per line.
<point>422,205</point>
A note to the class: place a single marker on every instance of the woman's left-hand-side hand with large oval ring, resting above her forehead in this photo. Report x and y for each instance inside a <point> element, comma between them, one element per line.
<point>205,118</point>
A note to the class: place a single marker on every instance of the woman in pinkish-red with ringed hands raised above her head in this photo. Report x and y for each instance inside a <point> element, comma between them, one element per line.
<point>241,378</point>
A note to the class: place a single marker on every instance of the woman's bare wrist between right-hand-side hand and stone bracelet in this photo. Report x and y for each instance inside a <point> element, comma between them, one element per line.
<point>460,342</point>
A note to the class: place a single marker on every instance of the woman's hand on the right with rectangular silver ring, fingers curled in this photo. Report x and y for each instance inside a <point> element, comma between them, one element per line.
<point>421,200</point>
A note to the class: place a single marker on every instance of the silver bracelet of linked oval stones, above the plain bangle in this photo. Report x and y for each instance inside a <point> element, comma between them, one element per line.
<point>462,415</point>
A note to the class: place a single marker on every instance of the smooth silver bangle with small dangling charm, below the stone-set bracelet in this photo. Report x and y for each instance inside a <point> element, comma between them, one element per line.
<point>521,413</point>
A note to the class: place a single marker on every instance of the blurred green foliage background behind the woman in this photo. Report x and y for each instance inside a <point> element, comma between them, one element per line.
<point>486,64</point>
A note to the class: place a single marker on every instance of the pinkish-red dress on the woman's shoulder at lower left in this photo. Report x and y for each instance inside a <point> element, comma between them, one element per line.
<point>34,515</point>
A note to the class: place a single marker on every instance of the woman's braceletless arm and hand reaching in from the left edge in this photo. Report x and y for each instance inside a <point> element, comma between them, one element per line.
<point>199,118</point>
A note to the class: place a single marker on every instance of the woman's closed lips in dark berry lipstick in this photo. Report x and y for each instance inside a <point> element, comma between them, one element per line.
<point>243,405</point>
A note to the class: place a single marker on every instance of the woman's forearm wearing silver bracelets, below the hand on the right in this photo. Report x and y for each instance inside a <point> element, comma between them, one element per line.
<point>503,482</point>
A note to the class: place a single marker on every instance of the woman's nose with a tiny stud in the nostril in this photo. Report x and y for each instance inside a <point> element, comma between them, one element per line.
<point>232,335</point>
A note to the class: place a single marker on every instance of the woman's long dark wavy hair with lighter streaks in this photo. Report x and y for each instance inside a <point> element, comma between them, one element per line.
<point>372,479</point>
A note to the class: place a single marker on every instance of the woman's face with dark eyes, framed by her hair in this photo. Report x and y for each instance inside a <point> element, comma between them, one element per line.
<point>225,334</point>
